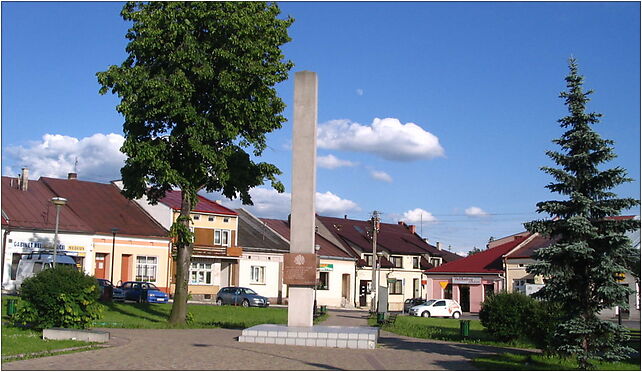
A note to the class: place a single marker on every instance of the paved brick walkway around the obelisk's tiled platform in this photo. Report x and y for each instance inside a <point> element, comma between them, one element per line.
<point>218,349</point>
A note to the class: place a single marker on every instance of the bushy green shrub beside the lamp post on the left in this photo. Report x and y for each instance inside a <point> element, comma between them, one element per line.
<point>59,297</point>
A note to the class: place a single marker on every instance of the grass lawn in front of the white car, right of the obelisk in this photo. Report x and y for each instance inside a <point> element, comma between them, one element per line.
<point>446,329</point>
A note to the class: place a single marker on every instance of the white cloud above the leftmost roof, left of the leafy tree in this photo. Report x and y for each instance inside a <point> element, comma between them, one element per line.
<point>99,157</point>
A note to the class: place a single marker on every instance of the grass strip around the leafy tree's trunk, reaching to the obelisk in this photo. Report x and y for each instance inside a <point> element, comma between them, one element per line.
<point>131,315</point>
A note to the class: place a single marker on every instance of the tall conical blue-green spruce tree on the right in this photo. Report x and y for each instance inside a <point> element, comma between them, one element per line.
<point>581,269</point>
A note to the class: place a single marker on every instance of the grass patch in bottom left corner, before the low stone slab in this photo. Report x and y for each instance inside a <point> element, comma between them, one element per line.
<point>16,341</point>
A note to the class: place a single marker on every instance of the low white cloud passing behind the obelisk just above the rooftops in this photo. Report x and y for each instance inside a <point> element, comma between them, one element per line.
<point>270,204</point>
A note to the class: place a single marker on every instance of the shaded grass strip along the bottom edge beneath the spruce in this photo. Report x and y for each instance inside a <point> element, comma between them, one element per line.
<point>515,362</point>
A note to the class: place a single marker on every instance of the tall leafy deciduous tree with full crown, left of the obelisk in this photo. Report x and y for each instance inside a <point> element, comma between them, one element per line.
<point>197,94</point>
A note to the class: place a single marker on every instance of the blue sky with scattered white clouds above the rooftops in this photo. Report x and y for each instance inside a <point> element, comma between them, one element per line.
<point>433,112</point>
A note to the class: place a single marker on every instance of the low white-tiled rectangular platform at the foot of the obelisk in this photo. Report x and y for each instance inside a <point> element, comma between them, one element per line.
<point>320,336</point>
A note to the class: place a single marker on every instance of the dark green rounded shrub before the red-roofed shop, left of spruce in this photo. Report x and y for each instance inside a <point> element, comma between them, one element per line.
<point>503,315</point>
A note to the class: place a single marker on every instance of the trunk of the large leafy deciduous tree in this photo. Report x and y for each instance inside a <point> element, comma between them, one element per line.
<point>183,258</point>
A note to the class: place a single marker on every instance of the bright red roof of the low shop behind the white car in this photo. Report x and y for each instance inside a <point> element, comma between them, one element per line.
<point>484,262</point>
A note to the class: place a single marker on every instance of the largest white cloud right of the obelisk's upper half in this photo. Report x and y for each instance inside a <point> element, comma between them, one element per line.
<point>387,138</point>
